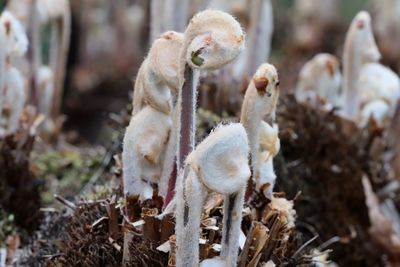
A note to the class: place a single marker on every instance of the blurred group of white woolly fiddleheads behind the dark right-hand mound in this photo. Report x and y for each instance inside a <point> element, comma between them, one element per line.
<point>368,90</point>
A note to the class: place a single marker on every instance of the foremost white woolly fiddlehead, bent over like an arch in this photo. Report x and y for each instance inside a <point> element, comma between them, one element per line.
<point>218,164</point>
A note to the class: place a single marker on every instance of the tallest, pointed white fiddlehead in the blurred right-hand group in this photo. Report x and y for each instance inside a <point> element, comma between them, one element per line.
<point>359,48</point>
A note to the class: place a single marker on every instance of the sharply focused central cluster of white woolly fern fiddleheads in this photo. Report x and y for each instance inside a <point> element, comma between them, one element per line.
<point>160,136</point>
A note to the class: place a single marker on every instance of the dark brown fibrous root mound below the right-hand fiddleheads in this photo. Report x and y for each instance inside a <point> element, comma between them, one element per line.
<point>325,158</point>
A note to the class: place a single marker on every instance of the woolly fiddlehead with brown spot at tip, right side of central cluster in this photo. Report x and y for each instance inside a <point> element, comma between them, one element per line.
<point>259,101</point>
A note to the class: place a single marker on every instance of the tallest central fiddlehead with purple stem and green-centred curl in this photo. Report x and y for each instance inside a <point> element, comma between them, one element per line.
<point>211,40</point>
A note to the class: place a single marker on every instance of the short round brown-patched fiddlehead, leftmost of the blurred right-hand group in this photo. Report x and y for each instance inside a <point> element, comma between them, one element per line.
<point>319,81</point>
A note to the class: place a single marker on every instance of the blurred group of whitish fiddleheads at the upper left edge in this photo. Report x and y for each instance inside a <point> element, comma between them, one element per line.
<point>23,79</point>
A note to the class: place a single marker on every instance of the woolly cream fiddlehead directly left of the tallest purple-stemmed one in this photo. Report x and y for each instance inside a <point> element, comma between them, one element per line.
<point>158,75</point>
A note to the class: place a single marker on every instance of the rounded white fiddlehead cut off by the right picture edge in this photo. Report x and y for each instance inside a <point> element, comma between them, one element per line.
<point>379,92</point>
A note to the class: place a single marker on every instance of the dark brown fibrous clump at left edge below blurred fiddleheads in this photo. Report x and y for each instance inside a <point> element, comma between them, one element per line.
<point>19,189</point>
